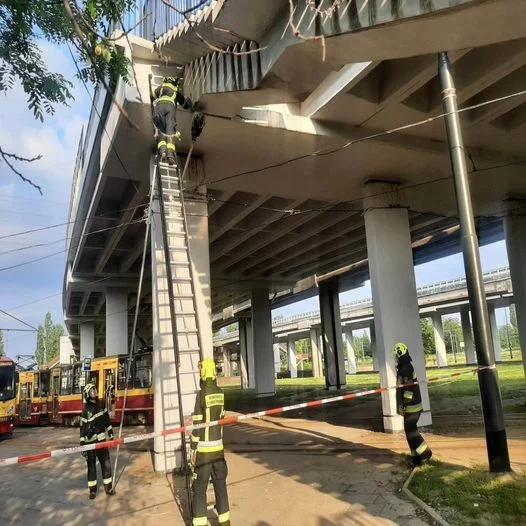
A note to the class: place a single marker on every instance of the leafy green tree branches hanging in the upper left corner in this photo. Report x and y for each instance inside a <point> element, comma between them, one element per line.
<point>26,23</point>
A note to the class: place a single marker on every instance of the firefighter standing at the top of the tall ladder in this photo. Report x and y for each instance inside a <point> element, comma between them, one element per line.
<point>166,97</point>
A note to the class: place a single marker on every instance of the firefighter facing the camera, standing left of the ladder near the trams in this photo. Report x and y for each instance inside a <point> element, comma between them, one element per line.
<point>94,426</point>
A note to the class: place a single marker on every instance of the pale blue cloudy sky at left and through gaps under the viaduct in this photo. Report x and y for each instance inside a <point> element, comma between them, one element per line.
<point>31,290</point>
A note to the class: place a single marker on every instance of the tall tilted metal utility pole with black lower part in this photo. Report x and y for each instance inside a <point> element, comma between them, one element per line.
<point>496,441</point>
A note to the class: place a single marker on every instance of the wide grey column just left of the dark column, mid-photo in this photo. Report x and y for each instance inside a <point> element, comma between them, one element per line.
<point>262,338</point>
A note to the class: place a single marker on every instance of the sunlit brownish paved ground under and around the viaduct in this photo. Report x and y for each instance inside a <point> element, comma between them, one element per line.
<point>282,471</point>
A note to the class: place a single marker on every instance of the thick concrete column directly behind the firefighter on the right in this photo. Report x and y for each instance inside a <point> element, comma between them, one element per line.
<point>396,315</point>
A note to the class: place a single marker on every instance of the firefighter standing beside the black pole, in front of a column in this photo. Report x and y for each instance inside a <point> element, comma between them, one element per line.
<point>409,403</point>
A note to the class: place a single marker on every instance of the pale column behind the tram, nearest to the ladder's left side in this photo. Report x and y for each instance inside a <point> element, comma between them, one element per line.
<point>116,322</point>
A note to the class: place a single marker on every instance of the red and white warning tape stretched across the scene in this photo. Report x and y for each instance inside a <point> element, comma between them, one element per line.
<point>223,422</point>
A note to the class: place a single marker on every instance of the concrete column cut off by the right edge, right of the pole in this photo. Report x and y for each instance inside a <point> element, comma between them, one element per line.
<point>515,231</point>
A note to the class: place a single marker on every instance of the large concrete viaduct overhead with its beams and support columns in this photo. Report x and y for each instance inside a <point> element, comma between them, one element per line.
<point>302,172</point>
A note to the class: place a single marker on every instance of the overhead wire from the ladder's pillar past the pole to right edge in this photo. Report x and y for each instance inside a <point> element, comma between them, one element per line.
<point>330,151</point>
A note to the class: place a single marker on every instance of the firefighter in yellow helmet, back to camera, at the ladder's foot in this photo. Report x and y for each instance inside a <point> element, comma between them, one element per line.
<point>208,458</point>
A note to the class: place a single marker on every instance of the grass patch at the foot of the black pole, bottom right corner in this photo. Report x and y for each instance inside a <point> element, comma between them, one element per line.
<point>471,496</point>
